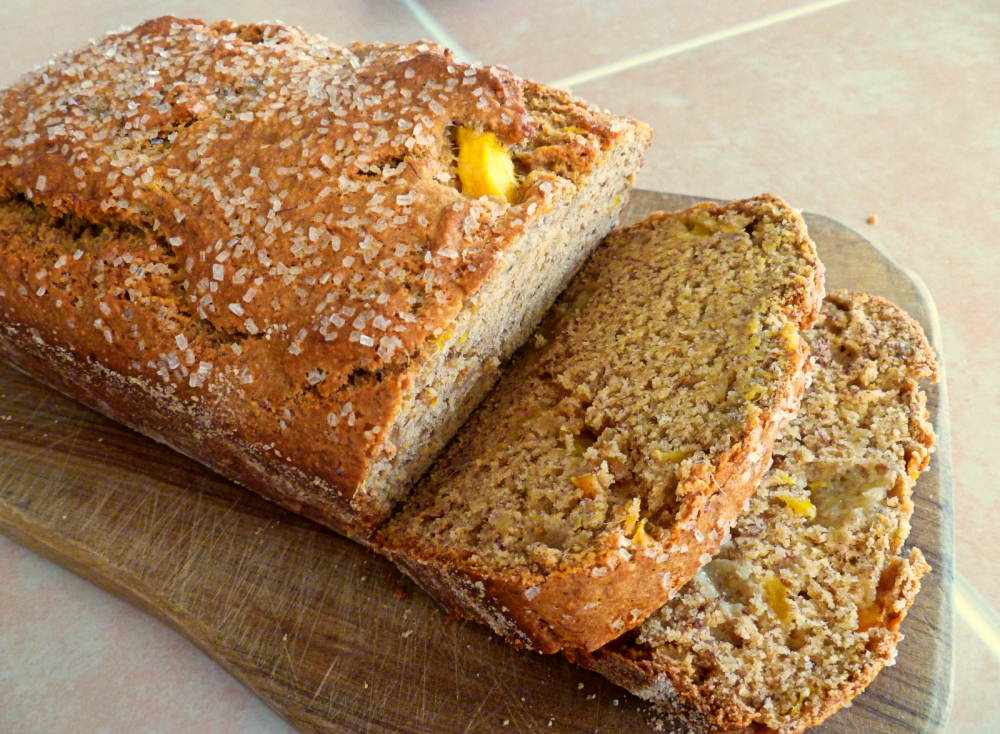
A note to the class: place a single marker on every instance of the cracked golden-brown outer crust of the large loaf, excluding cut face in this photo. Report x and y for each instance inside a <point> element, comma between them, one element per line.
<point>218,209</point>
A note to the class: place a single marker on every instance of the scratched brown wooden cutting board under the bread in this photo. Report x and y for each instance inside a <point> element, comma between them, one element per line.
<point>332,637</point>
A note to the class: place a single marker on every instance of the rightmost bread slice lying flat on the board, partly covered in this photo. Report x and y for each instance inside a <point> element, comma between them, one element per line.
<point>801,608</point>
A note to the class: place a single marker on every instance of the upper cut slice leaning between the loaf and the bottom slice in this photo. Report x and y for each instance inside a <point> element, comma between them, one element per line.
<point>606,466</point>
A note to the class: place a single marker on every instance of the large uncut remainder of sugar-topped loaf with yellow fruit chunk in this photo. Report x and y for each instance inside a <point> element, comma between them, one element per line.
<point>259,248</point>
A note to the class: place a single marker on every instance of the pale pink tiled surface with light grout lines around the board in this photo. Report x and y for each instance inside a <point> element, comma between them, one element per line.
<point>848,109</point>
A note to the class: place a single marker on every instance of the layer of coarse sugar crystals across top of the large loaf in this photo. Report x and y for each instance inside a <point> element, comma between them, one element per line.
<point>152,125</point>
